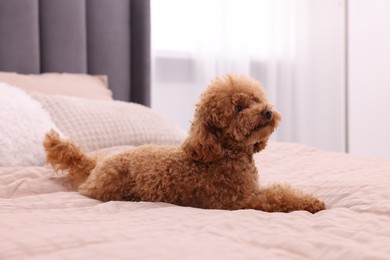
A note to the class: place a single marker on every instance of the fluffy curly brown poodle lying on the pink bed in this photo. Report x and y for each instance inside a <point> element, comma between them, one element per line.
<point>212,169</point>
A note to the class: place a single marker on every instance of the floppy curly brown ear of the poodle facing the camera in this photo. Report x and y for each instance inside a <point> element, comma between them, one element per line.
<point>202,143</point>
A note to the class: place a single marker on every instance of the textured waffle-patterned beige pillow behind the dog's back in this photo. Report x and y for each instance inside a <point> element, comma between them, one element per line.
<point>98,124</point>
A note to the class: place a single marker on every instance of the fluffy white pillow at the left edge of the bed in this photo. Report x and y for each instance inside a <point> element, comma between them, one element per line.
<point>23,125</point>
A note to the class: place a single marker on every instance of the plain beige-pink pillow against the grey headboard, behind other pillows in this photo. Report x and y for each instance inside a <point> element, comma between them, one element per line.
<point>79,85</point>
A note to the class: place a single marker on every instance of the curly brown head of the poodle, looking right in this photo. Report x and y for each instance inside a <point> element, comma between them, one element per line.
<point>233,115</point>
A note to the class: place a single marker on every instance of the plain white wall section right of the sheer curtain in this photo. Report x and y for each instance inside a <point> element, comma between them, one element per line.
<point>369,77</point>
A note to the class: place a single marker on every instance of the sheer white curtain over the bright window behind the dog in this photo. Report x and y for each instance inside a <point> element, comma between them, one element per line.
<point>295,48</point>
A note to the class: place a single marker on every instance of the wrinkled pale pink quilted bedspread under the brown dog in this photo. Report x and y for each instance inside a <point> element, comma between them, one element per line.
<point>41,219</point>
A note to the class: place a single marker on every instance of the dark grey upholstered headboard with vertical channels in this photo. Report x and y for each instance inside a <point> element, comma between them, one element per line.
<point>110,37</point>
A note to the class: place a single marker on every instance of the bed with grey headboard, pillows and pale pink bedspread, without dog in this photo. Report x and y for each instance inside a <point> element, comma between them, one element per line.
<point>62,83</point>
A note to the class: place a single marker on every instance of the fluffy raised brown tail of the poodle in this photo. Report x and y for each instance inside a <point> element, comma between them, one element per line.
<point>65,155</point>
